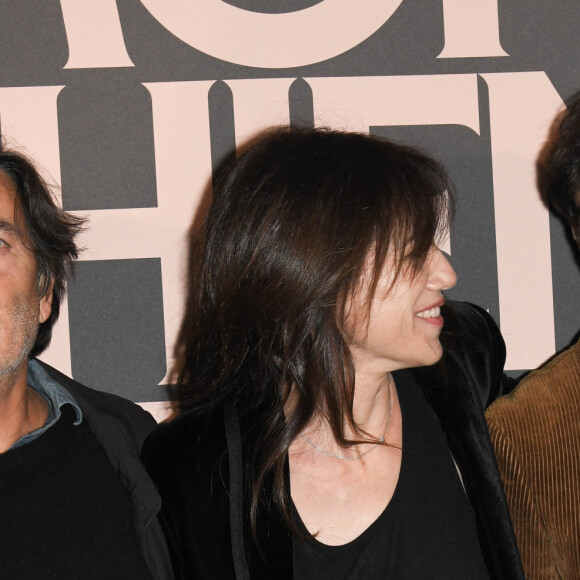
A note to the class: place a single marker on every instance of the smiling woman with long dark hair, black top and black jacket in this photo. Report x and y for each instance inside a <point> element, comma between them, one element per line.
<point>327,431</point>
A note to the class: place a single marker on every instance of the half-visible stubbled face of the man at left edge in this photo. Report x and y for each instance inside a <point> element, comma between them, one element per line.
<point>21,308</point>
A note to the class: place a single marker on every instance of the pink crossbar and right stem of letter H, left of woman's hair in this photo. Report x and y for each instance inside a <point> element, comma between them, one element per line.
<point>183,165</point>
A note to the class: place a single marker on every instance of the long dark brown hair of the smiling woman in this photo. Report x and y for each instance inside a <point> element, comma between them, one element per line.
<point>293,221</point>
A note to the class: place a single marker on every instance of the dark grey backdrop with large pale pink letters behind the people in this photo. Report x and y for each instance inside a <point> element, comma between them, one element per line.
<point>129,104</point>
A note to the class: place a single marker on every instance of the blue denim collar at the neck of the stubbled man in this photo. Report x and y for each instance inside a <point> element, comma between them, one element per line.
<point>55,395</point>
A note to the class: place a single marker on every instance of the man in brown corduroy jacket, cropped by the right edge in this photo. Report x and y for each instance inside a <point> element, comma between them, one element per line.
<point>536,429</point>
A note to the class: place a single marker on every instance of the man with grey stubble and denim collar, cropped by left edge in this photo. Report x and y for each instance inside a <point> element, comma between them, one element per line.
<point>75,501</point>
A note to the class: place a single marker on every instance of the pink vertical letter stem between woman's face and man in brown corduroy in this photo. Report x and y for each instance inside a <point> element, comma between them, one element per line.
<point>522,106</point>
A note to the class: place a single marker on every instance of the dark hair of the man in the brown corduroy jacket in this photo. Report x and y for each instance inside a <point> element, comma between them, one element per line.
<point>559,170</point>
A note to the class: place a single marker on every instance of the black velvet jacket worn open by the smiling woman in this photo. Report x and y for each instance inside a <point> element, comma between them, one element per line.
<point>198,464</point>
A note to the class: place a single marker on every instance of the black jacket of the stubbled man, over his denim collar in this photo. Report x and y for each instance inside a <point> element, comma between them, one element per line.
<point>120,426</point>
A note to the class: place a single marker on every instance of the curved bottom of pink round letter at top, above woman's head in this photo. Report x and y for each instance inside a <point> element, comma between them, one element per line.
<point>298,38</point>
